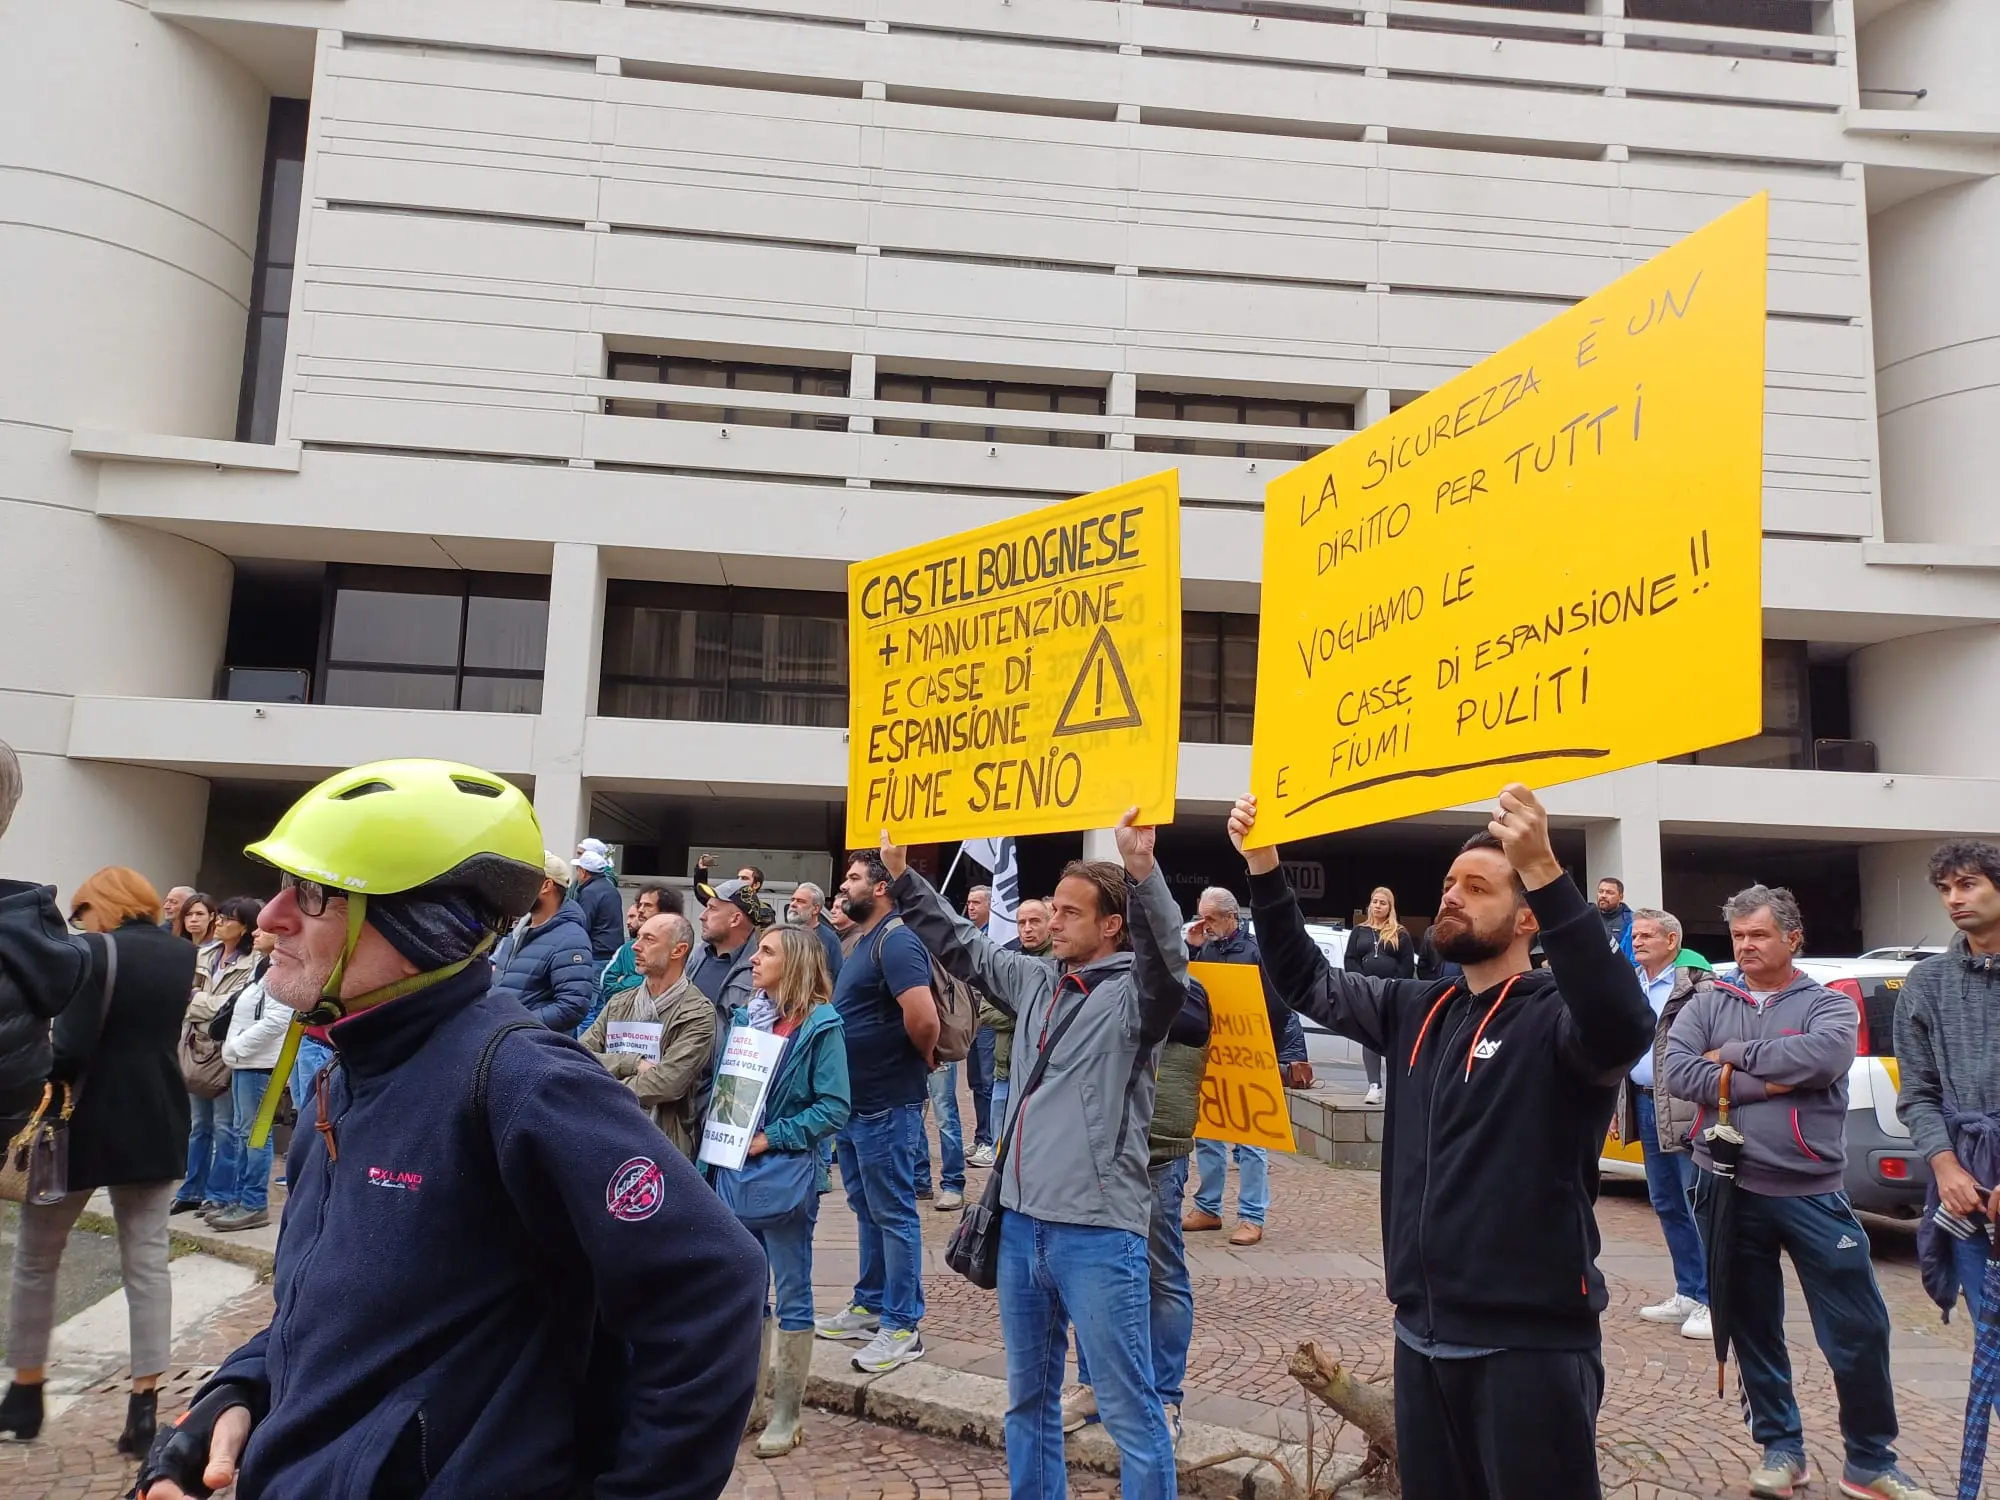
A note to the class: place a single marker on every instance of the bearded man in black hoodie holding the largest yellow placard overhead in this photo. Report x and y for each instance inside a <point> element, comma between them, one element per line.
<point>1501,1087</point>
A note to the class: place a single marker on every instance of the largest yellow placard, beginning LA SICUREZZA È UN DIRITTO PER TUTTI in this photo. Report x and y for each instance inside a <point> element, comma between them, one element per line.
<point>1521,575</point>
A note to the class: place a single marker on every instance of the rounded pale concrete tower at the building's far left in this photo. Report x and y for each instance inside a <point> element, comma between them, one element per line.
<point>153,131</point>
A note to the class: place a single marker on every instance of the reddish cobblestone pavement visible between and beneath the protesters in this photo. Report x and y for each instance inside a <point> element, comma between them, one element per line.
<point>1663,1431</point>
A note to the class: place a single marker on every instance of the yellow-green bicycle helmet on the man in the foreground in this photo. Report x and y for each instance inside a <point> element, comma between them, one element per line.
<point>399,825</point>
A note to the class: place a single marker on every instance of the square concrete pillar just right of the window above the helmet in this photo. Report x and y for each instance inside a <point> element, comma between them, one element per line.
<point>569,693</point>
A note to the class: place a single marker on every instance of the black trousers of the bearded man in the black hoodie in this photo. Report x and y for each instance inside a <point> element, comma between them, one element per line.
<point>1519,1425</point>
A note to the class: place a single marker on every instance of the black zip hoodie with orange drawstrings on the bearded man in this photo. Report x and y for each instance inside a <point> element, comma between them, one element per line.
<point>1495,1121</point>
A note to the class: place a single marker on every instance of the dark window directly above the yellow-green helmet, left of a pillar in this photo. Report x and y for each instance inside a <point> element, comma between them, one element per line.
<point>433,639</point>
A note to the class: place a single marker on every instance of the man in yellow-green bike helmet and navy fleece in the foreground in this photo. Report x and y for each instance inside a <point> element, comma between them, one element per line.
<point>495,1277</point>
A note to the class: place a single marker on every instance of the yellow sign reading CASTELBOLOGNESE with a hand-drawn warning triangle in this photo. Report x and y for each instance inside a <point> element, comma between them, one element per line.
<point>1023,679</point>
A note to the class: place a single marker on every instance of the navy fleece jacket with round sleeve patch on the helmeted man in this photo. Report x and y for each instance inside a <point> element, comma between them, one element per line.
<point>549,1305</point>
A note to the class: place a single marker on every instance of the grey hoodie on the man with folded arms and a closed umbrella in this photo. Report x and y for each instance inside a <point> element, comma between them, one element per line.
<point>1795,1145</point>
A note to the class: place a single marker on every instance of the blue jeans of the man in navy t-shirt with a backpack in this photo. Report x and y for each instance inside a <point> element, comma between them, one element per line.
<point>879,1155</point>
